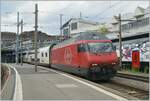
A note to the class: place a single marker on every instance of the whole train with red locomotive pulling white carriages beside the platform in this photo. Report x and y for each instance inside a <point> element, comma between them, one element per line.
<point>88,54</point>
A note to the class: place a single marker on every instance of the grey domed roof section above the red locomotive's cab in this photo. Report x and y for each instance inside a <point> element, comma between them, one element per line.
<point>89,36</point>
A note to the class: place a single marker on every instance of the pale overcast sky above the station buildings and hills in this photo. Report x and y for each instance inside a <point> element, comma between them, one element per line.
<point>99,11</point>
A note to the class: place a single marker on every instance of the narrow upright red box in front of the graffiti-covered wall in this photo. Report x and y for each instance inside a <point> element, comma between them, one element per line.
<point>136,59</point>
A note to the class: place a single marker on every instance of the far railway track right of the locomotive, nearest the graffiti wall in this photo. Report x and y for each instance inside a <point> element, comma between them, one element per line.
<point>133,77</point>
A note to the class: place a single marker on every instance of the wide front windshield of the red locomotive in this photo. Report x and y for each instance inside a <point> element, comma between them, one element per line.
<point>100,47</point>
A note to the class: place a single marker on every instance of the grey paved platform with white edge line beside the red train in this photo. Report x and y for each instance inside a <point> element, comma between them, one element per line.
<point>48,84</point>
